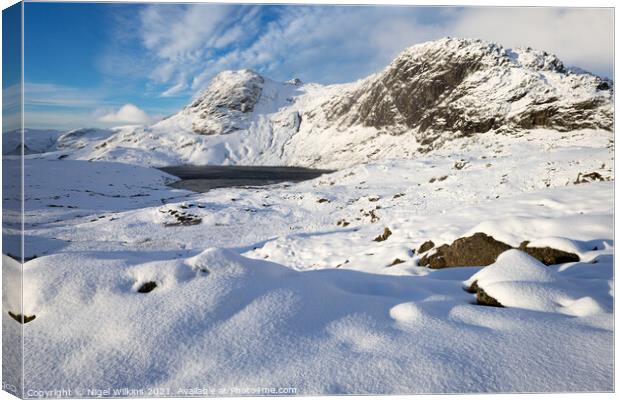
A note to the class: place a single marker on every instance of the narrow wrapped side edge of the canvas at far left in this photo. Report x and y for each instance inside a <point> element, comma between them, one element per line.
<point>12,200</point>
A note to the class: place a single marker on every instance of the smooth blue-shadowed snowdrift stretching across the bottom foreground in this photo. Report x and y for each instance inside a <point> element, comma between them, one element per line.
<point>208,310</point>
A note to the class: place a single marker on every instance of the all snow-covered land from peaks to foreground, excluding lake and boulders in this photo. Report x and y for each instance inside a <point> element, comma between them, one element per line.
<point>130,283</point>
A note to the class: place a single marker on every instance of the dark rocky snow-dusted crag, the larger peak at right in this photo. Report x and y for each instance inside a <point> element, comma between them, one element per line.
<point>457,87</point>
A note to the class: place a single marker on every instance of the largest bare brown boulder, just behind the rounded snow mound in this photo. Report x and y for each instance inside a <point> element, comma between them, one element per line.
<point>476,250</point>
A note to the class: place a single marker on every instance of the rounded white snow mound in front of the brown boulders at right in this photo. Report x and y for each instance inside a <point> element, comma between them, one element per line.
<point>519,280</point>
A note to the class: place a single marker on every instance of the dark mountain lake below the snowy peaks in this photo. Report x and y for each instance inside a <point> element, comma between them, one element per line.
<point>206,177</point>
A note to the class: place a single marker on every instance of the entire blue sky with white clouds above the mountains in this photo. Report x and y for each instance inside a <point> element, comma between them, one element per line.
<point>108,64</point>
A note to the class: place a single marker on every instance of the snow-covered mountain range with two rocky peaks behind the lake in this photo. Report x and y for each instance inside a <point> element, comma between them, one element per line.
<point>431,93</point>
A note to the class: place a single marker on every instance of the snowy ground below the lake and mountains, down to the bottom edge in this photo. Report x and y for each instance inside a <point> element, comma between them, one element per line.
<point>271,289</point>
